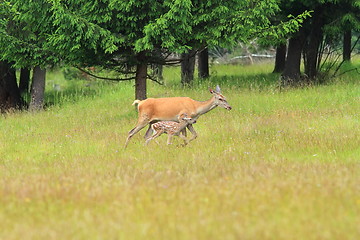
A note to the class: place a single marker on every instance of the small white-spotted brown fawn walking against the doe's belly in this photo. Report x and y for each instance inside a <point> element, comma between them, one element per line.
<point>171,128</point>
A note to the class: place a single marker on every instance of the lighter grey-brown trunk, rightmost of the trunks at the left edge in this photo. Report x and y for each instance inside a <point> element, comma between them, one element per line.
<point>37,89</point>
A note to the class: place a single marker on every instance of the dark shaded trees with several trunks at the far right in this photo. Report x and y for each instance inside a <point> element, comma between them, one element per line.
<point>332,22</point>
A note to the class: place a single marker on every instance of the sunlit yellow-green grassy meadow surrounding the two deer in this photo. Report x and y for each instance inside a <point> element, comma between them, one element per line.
<point>282,164</point>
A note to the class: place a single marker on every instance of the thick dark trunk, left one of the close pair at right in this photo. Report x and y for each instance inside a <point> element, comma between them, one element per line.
<point>291,74</point>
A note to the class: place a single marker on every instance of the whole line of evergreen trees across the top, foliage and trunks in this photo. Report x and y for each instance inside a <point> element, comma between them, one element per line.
<point>129,36</point>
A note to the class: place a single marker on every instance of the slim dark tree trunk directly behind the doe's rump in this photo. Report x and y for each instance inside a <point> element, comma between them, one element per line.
<point>141,76</point>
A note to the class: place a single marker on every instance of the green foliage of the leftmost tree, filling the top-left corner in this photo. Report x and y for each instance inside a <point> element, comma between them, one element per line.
<point>24,31</point>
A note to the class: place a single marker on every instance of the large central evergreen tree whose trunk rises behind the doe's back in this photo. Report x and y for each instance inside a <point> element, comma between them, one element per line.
<point>127,35</point>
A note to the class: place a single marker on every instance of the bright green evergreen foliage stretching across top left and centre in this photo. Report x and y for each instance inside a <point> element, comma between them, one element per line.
<point>111,33</point>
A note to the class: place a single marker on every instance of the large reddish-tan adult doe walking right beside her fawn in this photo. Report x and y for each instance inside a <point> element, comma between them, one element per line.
<point>170,109</point>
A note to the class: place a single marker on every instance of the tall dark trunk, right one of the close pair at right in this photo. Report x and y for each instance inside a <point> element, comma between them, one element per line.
<point>312,48</point>
